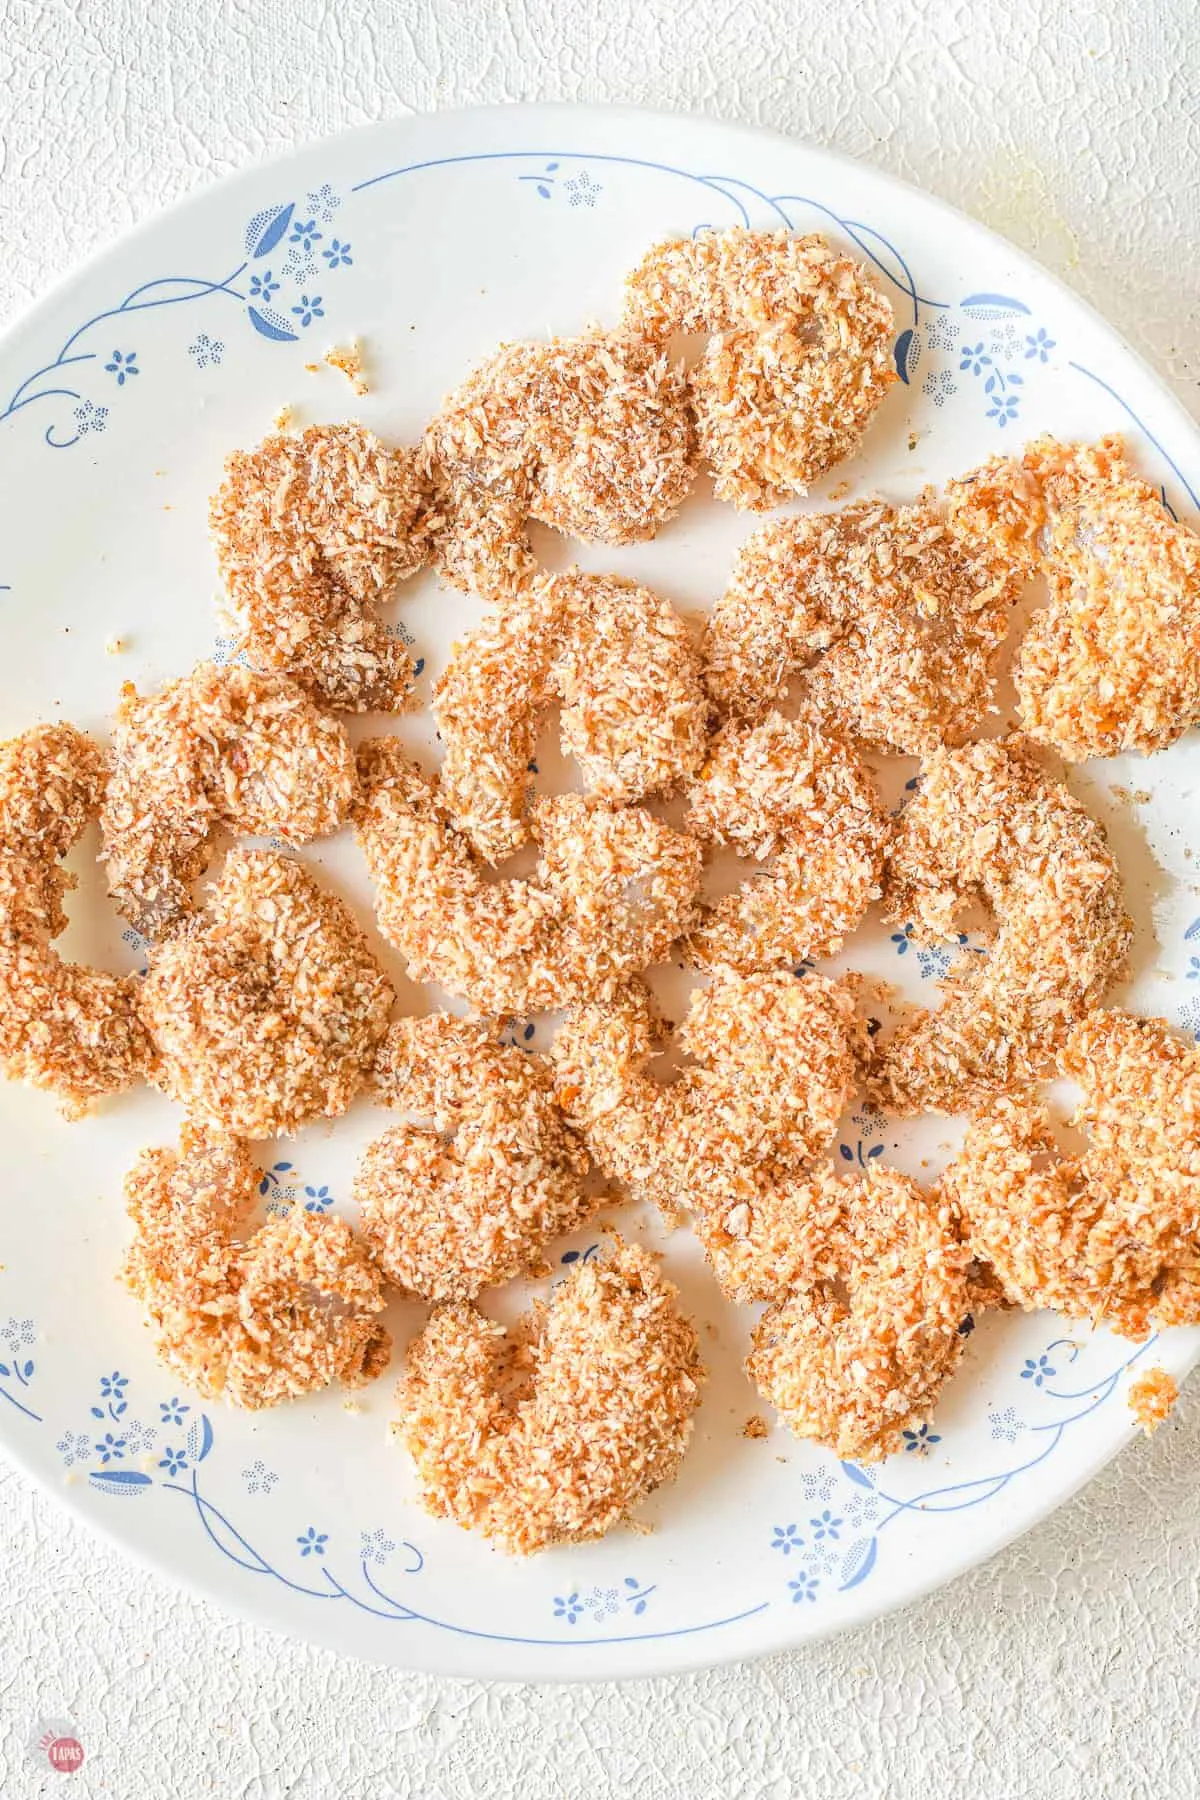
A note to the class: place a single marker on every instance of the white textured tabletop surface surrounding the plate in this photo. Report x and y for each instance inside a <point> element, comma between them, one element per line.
<point>1066,1668</point>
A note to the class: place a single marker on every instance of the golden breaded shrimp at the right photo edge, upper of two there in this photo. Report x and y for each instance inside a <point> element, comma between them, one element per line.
<point>1115,661</point>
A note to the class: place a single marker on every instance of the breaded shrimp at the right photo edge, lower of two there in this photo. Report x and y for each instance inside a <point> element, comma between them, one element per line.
<point>1111,1236</point>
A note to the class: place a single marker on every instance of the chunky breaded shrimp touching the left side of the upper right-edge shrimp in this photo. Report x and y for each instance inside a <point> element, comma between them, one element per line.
<point>897,616</point>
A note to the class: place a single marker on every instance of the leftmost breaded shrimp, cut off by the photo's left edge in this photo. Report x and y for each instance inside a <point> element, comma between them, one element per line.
<point>62,1025</point>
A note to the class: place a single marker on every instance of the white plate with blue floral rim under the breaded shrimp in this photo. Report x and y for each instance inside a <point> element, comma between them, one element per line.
<point>431,240</point>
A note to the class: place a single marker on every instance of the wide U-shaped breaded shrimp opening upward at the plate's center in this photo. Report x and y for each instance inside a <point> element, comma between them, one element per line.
<point>613,894</point>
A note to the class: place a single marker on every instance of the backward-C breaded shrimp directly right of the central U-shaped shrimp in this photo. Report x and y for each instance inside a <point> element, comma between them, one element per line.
<point>801,800</point>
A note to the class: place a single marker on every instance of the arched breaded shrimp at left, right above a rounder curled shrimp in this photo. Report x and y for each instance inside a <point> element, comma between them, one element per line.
<point>219,748</point>
